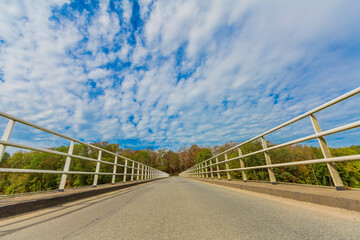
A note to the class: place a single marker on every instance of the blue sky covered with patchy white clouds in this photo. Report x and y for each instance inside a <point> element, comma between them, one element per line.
<point>167,74</point>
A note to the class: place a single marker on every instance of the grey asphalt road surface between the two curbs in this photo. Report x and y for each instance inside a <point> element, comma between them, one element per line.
<point>177,208</point>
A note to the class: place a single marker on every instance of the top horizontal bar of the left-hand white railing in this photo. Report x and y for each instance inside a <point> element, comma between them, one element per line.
<point>8,116</point>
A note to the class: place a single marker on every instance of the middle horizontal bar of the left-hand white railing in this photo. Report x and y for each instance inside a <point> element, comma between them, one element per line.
<point>22,146</point>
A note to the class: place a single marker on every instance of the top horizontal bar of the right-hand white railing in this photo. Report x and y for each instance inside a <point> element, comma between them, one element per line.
<point>315,110</point>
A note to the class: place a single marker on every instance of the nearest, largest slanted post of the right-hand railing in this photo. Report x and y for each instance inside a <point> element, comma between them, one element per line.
<point>326,153</point>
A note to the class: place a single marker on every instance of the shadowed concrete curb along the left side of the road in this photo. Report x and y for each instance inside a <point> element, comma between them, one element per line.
<point>41,203</point>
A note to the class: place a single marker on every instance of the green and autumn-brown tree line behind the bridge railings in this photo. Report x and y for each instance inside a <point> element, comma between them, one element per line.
<point>173,163</point>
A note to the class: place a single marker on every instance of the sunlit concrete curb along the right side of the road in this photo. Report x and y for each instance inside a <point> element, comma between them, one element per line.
<point>349,204</point>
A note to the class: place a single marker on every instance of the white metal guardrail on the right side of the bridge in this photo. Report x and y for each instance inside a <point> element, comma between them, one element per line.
<point>201,170</point>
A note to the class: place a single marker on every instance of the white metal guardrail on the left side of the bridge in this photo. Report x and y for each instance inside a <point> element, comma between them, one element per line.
<point>143,172</point>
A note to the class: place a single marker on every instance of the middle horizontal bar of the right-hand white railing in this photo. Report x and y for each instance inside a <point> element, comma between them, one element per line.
<point>313,136</point>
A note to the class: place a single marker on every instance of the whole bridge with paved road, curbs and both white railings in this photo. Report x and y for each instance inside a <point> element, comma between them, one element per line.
<point>199,204</point>
